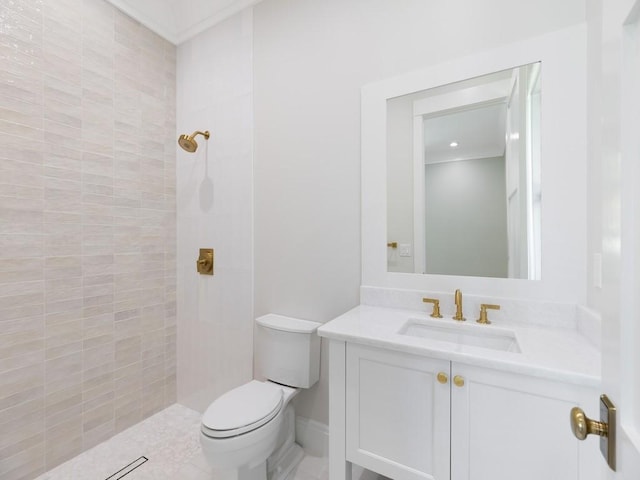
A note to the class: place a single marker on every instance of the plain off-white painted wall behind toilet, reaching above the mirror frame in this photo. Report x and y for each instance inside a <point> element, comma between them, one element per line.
<point>310,60</point>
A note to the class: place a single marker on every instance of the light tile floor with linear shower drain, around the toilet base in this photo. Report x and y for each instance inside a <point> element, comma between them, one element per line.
<point>170,441</point>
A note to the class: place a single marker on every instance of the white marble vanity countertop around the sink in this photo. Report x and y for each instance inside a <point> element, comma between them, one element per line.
<point>554,353</point>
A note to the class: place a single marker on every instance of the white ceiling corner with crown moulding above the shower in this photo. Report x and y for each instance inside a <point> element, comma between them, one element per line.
<point>180,20</point>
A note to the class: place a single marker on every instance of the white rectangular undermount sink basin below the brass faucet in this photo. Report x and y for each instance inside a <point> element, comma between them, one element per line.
<point>484,336</point>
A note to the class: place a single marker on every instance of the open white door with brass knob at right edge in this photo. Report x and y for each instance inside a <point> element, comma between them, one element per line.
<point>620,151</point>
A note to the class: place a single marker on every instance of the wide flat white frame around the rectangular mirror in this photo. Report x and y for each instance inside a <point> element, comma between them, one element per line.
<point>563,168</point>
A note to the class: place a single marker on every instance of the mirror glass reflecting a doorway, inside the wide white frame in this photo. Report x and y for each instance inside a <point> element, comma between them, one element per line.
<point>463,177</point>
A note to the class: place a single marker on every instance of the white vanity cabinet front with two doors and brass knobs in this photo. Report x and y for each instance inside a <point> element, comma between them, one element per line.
<point>404,421</point>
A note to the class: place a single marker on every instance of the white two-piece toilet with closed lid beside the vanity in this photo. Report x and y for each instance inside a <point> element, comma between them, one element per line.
<point>251,429</point>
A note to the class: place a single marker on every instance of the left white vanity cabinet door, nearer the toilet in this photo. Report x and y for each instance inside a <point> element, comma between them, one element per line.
<point>397,414</point>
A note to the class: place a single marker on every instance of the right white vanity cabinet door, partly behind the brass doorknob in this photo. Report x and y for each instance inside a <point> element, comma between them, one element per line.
<point>506,426</point>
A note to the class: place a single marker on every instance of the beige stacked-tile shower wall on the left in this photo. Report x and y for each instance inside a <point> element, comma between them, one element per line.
<point>87,229</point>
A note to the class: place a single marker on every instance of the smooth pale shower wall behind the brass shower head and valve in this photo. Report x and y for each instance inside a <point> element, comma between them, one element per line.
<point>215,204</point>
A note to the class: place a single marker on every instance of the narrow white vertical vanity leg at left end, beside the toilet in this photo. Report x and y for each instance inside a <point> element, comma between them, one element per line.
<point>339,468</point>
